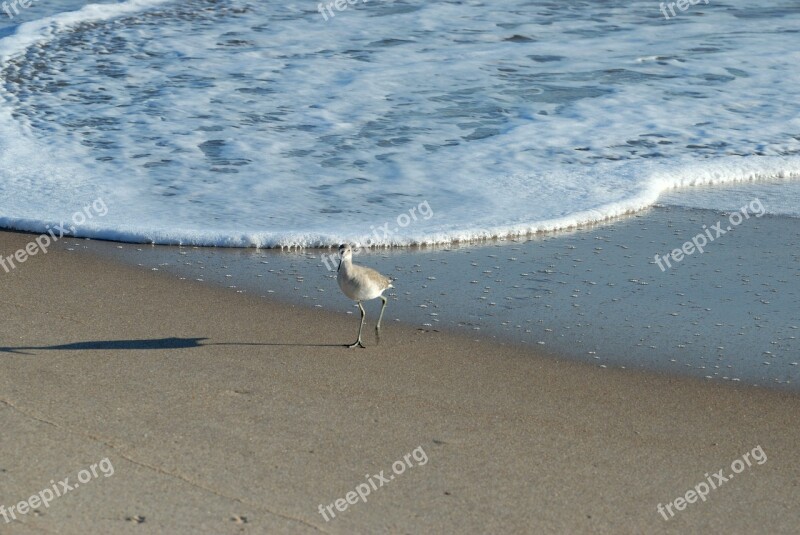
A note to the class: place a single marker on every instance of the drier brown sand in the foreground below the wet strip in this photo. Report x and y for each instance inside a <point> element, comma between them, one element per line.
<point>224,413</point>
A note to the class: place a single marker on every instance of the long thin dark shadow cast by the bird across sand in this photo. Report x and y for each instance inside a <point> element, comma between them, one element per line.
<point>146,344</point>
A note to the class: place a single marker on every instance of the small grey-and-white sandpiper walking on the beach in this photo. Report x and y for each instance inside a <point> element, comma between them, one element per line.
<point>361,283</point>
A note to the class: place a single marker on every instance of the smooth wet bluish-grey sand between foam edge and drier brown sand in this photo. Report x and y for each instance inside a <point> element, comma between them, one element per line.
<point>593,295</point>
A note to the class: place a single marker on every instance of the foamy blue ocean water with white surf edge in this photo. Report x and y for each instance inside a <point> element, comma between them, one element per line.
<point>243,123</point>
